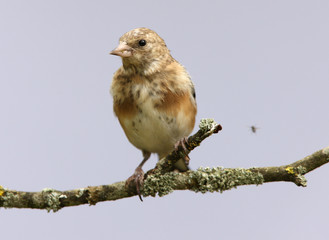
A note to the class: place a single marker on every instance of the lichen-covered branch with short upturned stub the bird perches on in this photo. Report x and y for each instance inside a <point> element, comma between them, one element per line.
<point>161,180</point>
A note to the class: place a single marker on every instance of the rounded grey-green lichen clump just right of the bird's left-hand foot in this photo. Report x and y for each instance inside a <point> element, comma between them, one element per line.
<point>161,184</point>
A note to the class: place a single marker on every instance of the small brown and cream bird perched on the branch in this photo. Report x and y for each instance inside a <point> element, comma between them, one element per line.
<point>153,98</point>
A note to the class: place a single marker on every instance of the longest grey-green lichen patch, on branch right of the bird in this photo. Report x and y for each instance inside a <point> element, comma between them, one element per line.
<point>219,179</point>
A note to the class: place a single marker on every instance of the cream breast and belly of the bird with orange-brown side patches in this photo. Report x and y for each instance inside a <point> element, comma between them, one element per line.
<point>154,113</point>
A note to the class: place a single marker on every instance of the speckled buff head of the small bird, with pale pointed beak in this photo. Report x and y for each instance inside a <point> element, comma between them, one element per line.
<point>143,51</point>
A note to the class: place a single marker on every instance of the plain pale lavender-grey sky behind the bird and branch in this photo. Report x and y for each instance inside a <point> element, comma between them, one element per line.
<point>262,63</point>
